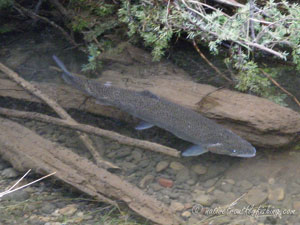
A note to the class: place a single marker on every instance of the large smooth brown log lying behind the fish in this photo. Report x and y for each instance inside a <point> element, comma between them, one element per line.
<point>263,123</point>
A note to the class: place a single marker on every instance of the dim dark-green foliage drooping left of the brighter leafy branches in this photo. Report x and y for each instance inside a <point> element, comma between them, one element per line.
<point>93,20</point>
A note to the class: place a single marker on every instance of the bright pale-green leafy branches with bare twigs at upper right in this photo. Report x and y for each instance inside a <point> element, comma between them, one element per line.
<point>271,29</point>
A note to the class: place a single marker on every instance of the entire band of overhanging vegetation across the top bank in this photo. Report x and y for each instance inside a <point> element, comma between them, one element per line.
<point>243,34</point>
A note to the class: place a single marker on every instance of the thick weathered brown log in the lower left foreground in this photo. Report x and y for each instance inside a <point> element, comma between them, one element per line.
<point>31,151</point>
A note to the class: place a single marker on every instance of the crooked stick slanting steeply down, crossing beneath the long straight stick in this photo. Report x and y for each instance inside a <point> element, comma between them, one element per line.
<point>58,109</point>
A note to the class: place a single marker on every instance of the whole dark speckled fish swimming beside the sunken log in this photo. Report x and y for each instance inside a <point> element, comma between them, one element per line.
<point>205,134</point>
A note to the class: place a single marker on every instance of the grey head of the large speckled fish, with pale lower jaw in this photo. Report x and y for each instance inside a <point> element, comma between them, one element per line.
<point>233,145</point>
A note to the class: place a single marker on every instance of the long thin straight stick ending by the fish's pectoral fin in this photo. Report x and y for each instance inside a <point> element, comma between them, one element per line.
<point>92,130</point>
